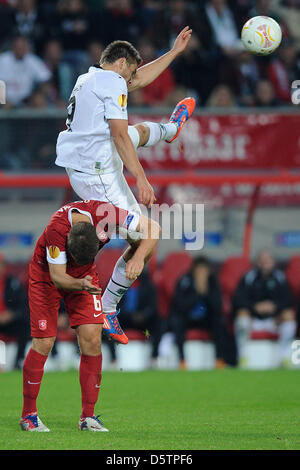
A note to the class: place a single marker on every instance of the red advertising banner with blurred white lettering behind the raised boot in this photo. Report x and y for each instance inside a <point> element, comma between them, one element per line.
<point>237,141</point>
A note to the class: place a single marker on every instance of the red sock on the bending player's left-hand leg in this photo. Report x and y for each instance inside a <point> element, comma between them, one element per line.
<point>33,370</point>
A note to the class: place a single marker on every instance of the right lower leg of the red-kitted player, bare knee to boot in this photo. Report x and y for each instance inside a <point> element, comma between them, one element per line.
<point>90,374</point>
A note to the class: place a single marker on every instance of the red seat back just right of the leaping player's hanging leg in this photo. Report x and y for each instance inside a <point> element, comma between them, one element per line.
<point>175,265</point>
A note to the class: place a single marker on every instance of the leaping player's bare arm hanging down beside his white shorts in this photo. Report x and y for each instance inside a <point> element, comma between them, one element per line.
<point>126,150</point>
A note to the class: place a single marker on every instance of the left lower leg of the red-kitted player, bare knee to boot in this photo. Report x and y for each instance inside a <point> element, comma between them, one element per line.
<point>33,371</point>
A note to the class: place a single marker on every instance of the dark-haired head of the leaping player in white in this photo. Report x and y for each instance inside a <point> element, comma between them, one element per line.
<point>123,56</point>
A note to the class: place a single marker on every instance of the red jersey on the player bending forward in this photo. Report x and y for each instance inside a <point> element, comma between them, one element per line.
<point>52,244</point>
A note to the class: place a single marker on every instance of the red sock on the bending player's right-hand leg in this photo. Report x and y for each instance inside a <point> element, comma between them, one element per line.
<point>90,380</point>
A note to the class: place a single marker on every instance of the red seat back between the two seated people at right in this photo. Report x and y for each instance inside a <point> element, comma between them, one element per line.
<point>231,272</point>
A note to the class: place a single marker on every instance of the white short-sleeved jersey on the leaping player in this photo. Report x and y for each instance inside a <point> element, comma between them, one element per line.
<point>87,144</point>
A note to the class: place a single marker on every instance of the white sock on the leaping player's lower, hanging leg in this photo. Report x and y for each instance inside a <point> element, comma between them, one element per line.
<point>116,287</point>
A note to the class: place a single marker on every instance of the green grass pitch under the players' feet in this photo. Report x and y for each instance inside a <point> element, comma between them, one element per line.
<point>226,409</point>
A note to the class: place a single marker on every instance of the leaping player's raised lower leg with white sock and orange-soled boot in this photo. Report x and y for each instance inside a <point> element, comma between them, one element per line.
<point>147,133</point>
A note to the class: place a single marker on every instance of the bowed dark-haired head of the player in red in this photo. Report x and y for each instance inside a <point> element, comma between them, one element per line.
<point>83,243</point>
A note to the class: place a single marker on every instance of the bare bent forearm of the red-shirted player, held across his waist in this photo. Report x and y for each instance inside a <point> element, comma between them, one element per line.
<point>64,281</point>
